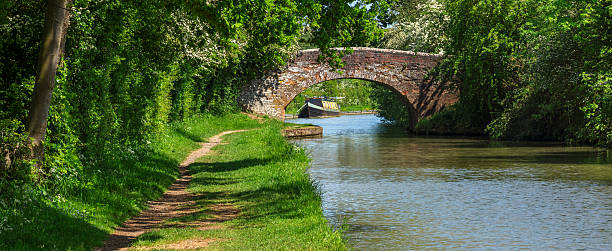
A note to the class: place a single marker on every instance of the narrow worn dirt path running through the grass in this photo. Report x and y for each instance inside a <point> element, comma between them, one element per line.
<point>175,202</point>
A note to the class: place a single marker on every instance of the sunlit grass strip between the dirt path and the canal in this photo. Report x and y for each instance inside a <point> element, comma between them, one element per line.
<point>265,178</point>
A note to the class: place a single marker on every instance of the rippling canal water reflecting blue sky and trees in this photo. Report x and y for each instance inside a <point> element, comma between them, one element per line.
<point>392,191</point>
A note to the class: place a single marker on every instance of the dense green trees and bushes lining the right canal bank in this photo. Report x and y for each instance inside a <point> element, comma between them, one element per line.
<point>524,69</point>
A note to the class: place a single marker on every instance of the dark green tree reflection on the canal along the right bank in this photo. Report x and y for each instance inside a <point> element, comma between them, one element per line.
<point>450,160</point>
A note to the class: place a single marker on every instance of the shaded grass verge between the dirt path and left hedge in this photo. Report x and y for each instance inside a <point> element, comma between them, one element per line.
<point>108,194</point>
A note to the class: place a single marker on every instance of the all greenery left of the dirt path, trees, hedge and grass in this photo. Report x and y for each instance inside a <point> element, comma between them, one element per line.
<point>130,74</point>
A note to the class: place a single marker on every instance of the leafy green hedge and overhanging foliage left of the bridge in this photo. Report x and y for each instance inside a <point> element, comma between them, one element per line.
<point>132,67</point>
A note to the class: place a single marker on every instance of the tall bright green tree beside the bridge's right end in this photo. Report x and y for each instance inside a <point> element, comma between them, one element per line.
<point>483,36</point>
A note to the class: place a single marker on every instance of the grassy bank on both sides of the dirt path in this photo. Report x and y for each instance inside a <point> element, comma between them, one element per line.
<point>273,189</point>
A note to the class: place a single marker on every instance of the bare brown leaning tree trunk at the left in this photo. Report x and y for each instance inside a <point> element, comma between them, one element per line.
<point>56,23</point>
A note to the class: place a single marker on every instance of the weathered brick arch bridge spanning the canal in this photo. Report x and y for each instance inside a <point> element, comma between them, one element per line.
<point>401,71</point>
